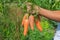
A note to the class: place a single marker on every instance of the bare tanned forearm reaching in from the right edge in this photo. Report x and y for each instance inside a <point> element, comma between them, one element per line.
<point>54,15</point>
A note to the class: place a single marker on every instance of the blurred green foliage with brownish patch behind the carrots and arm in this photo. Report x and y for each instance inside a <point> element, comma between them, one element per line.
<point>11,16</point>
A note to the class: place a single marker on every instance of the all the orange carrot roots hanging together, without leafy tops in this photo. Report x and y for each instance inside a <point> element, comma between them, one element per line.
<point>30,20</point>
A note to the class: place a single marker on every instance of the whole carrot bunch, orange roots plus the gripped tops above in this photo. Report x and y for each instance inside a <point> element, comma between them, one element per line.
<point>31,18</point>
